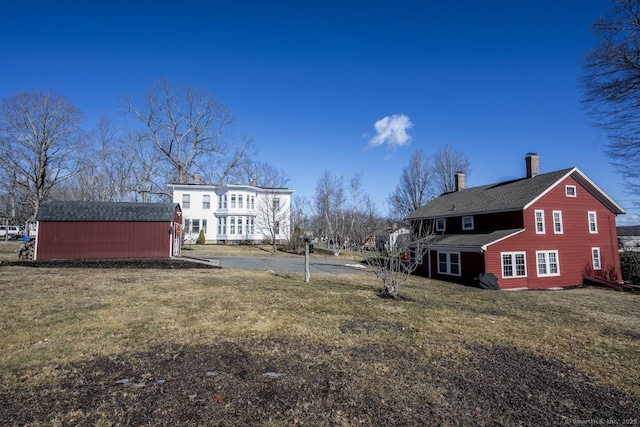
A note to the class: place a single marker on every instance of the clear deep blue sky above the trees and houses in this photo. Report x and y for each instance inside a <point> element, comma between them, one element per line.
<point>309,80</point>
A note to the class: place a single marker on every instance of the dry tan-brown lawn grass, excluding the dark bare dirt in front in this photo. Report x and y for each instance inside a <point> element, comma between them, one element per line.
<point>54,320</point>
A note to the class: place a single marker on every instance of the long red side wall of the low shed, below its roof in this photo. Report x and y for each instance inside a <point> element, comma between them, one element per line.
<point>103,240</point>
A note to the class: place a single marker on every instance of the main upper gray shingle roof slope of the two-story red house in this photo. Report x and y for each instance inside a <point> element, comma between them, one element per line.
<point>501,197</point>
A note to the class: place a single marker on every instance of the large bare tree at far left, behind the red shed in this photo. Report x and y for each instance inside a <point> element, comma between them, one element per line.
<point>41,144</point>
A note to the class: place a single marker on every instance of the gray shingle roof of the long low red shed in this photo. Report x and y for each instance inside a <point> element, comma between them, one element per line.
<point>105,211</point>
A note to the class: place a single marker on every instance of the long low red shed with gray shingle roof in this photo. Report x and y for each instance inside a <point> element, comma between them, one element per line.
<point>107,230</point>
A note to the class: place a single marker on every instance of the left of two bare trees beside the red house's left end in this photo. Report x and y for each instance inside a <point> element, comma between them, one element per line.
<point>414,188</point>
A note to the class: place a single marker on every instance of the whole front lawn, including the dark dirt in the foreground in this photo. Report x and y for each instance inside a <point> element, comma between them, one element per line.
<point>197,346</point>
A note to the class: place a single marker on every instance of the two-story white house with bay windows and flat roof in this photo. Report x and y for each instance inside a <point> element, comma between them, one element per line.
<point>234,213</point>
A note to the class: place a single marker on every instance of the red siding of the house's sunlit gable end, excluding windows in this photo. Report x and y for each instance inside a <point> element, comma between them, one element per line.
<point>573,245</point>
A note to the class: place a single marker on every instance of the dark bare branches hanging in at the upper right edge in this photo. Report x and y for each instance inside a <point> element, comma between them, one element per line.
<point>611,85</point>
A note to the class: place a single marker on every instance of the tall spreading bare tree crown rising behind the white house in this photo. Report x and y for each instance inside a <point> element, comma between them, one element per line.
<point>191,130</point>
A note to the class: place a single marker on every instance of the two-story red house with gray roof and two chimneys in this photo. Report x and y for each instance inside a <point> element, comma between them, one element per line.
<point>542,231</point>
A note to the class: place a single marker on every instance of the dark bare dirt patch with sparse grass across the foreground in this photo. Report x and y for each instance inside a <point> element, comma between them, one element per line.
<point>287,382</point>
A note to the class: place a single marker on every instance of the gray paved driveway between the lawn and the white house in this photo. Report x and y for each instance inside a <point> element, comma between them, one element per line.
<point>316,265</point>
